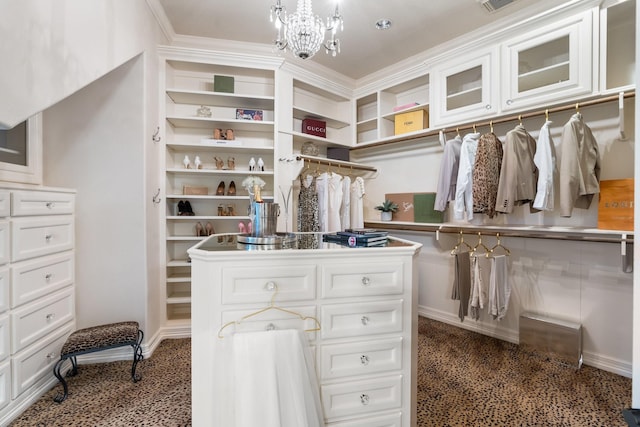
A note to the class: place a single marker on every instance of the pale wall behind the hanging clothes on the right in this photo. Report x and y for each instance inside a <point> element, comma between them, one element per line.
<point>578,281</point>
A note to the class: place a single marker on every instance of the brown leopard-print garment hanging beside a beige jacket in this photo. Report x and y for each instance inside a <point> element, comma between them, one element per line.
<point>486,174</point>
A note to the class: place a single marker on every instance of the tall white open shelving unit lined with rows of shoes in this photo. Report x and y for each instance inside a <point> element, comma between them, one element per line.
<point>218,129</point>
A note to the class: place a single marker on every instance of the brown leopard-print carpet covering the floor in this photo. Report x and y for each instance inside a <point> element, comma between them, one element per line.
<point>464,379</point>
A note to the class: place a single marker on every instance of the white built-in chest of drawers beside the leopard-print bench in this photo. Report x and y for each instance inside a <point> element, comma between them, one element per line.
<point>37,297</point>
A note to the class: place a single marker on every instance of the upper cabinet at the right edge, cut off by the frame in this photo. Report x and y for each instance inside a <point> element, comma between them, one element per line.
<point>618,45</point>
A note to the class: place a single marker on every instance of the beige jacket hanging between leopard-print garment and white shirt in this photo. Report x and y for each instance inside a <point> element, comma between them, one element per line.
<point>518,174</point>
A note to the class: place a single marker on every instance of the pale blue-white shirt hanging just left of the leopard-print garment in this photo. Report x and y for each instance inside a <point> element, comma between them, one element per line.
<point>463,202</point>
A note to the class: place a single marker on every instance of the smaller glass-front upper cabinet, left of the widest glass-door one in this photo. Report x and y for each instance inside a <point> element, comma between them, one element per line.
<point>465,87</point>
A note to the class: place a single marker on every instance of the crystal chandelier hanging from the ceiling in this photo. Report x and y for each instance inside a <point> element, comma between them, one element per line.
<point>303,31</point>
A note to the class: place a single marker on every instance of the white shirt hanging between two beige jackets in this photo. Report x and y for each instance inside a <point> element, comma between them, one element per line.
<point>545,160</point>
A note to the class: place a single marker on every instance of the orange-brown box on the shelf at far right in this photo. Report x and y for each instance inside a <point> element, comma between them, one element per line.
<point>615,207</point>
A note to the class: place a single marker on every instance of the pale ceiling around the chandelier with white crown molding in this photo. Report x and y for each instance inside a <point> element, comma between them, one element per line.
<point>417,25</point>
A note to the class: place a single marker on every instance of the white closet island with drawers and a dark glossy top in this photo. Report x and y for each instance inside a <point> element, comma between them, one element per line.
<point>358,306</point>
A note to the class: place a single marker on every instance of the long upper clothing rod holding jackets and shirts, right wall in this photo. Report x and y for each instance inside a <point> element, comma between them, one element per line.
<point>469,125</point>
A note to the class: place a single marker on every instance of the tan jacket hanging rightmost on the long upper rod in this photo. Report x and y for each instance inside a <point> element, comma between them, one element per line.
<point>579,166</point>
